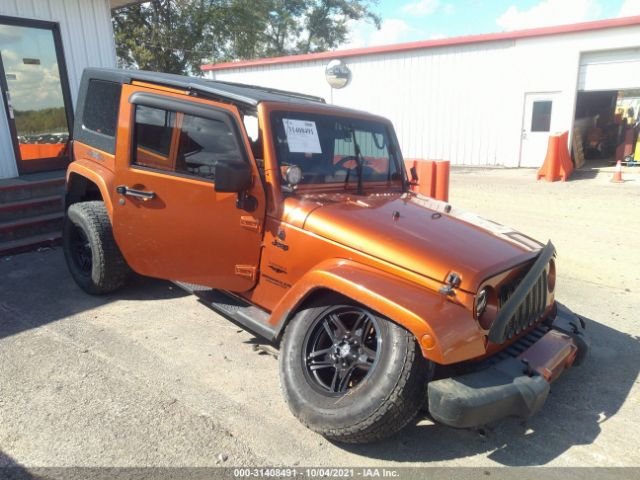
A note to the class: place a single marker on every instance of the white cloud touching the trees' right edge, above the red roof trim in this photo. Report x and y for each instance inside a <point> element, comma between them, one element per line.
<point>392,30</point>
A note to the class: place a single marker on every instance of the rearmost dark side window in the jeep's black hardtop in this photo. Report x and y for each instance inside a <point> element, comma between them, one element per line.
<point>100,113</point>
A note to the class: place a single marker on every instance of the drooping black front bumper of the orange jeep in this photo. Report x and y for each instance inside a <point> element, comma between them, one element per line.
<point>515,386</point>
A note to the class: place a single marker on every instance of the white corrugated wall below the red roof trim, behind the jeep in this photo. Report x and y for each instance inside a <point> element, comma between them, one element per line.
<point>461,103</point>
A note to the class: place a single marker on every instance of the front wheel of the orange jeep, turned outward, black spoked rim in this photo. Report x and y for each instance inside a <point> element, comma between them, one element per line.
<point>385,398</point>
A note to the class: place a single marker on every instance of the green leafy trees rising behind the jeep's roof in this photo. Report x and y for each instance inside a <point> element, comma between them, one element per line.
<point>179,35</point>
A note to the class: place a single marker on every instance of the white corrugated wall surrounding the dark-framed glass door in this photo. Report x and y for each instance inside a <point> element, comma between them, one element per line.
<point>87,38</point>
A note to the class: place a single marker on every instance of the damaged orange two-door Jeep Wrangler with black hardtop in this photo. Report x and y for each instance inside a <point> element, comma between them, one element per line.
<point>295,219</point>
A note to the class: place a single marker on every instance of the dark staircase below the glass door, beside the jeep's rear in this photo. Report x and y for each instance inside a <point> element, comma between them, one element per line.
<point>31,211</point>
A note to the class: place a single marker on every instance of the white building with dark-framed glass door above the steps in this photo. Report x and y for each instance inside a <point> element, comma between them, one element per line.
<point>44,47</point>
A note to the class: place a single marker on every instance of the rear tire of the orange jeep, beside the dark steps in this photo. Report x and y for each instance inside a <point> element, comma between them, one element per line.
<point>93,258</point>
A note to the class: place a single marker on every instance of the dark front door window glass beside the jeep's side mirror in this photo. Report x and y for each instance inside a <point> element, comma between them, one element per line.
<point>203,143</point>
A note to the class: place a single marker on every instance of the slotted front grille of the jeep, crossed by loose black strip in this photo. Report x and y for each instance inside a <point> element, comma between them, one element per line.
<point>530,309</point>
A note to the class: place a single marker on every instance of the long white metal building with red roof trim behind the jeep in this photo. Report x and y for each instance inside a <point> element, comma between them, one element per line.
<point>478,100</point>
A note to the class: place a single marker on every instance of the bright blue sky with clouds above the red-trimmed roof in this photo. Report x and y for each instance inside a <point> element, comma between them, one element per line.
<point>411,20</point>
